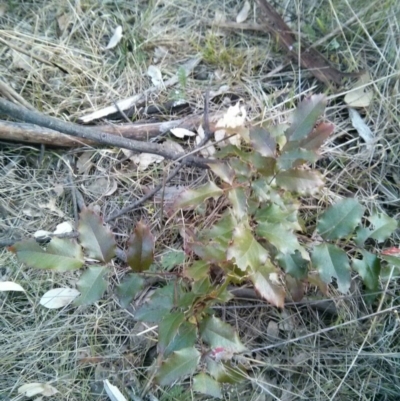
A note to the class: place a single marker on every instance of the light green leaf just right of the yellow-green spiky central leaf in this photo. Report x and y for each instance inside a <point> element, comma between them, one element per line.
<point>280,237</point>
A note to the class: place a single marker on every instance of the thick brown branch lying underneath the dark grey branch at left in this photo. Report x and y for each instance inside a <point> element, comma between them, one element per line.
<point>29,133</point>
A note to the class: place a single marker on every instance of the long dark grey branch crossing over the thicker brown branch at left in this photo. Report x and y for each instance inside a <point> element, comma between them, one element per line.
<point>93,134</point>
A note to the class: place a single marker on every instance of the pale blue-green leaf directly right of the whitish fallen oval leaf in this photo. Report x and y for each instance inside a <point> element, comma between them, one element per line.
<point>92,285</point>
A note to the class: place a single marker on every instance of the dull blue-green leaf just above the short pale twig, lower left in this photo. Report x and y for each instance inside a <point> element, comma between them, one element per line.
<point>159,304</point>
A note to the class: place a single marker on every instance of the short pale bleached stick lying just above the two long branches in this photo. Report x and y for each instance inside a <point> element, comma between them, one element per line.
<point>132,101</point>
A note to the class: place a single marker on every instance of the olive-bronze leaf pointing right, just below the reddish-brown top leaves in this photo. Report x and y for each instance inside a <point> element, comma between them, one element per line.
<point>305,182</point>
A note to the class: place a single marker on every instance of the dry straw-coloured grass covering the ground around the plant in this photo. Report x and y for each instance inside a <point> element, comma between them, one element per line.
<point>356,358</point>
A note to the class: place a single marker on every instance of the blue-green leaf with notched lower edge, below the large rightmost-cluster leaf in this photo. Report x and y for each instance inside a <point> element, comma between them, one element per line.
<point>331,261</point>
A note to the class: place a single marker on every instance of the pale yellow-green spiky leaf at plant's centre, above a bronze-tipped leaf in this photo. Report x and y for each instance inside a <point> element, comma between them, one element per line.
<point>245,249</point>
